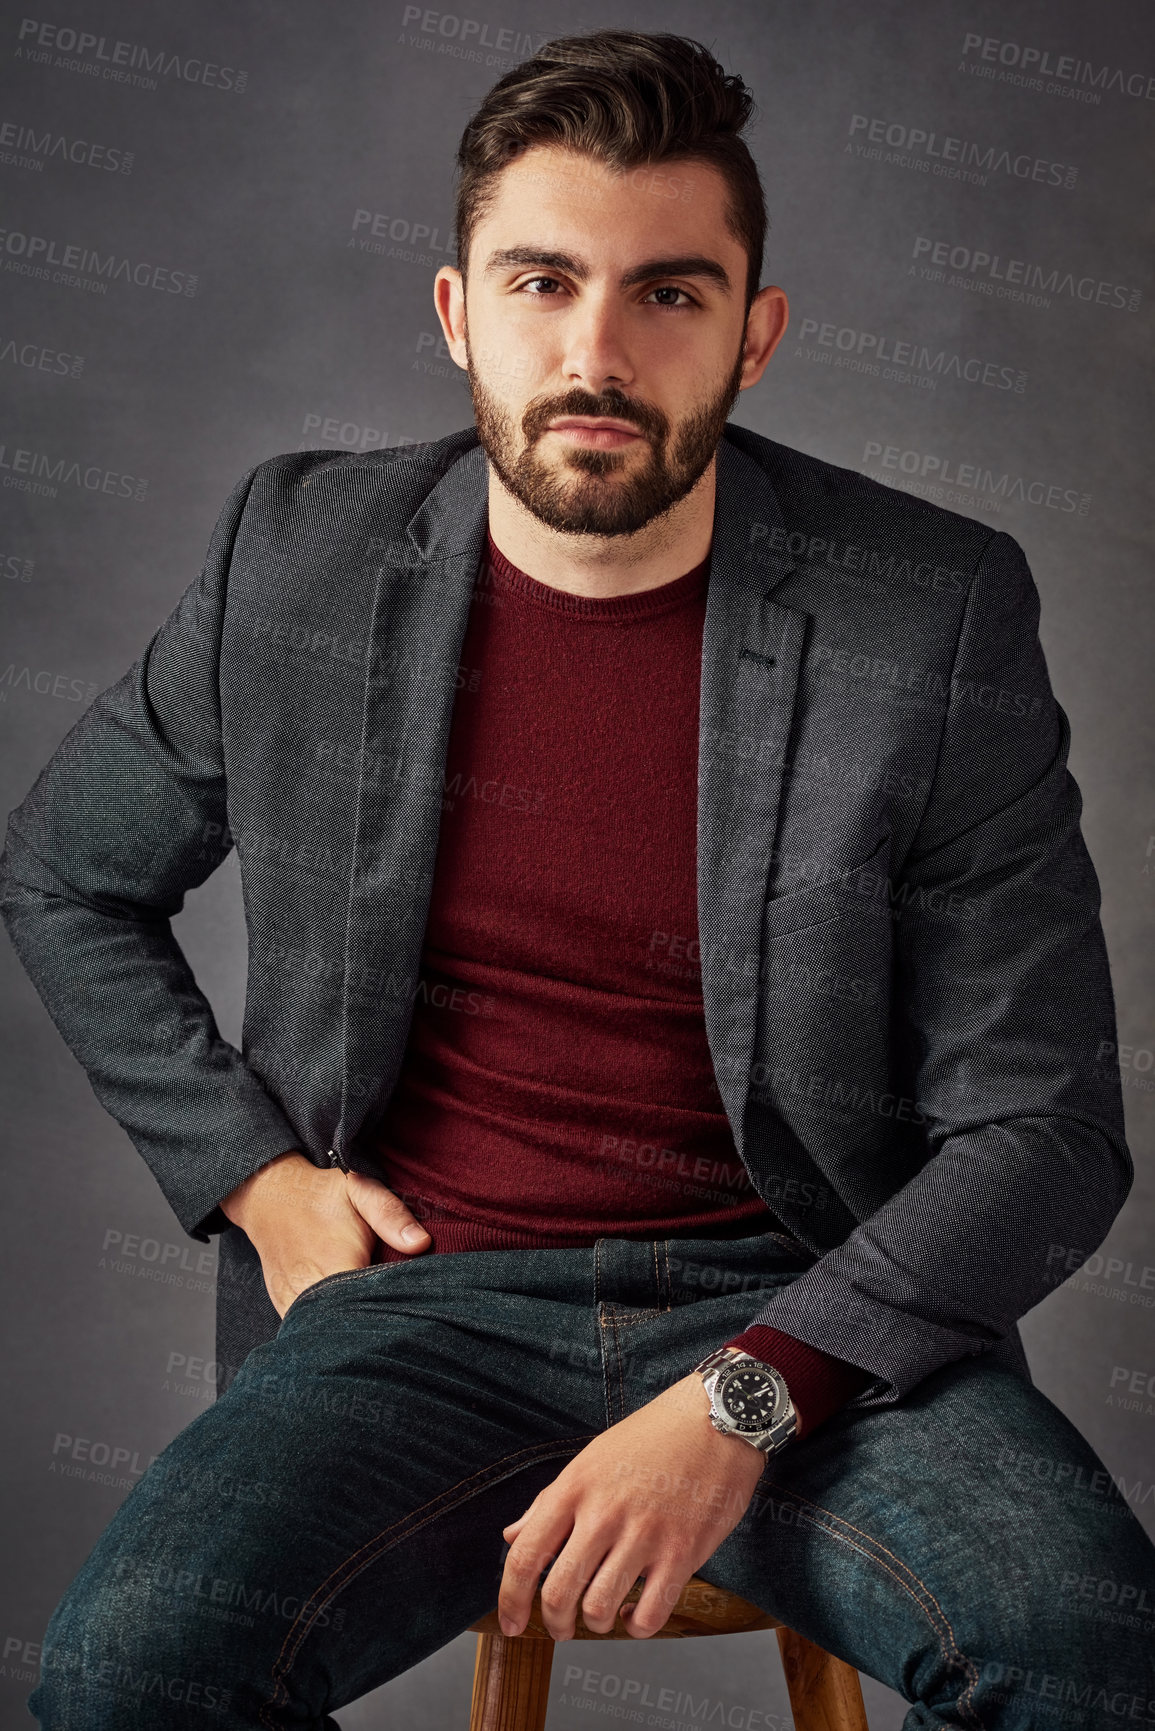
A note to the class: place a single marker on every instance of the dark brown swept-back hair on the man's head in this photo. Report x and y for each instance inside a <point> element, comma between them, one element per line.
<point>626,100</point>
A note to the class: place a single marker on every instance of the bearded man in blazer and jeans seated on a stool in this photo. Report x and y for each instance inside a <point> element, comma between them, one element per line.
<point>513,731</point>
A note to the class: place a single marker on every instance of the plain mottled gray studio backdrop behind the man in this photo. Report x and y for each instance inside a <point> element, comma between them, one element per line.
<point>957,202</point>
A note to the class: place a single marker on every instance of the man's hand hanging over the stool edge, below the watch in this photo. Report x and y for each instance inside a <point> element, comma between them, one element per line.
<point>655,1495</point>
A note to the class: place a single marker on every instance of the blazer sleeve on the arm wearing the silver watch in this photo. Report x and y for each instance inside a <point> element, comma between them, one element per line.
<point>1002,1014</point>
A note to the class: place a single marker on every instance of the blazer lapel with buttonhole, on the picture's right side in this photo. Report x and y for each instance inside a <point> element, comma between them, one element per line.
<point>751,664</point>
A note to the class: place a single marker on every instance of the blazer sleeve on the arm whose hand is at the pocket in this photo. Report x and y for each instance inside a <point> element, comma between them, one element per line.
<point>126,818</point>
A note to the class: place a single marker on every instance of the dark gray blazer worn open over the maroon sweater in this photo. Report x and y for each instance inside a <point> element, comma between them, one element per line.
<point>903,965</point>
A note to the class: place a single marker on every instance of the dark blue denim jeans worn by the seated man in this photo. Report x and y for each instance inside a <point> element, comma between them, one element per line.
<point>339,1514</point>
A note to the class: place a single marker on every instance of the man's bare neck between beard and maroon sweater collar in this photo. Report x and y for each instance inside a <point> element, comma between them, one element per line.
<point>605,565</point>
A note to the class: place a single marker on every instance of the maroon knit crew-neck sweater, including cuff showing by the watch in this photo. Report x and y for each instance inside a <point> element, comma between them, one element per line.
<point>558,1086</point>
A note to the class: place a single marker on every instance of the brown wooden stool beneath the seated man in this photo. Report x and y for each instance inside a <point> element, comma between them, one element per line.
<point>512,1673</point>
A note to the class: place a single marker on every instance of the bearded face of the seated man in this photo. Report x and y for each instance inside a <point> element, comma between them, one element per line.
<point>603,295</point>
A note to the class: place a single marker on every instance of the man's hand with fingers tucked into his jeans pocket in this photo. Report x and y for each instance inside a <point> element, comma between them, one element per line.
<point>306,1223</point>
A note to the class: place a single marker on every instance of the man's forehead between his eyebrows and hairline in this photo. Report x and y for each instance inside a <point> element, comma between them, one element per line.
<point>550,195</point>
